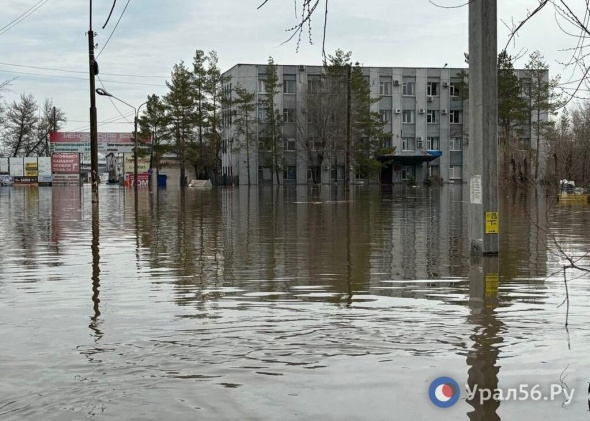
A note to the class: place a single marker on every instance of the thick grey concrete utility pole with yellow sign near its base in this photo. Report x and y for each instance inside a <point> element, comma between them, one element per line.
<point>483,128</point>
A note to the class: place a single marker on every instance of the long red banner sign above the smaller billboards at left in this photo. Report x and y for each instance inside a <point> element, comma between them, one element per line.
<point>79,142</point>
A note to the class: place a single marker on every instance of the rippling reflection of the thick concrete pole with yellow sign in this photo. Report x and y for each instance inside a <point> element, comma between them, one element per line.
<point>482,358</point>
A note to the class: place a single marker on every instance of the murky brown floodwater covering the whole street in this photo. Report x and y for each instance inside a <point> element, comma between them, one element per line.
<point>285,304</point>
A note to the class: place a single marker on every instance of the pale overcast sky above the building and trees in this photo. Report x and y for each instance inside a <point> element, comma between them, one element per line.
<point>153,35</point>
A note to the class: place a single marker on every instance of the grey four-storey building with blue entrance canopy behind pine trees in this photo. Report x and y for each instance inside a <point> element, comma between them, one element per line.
<point>425,119</point>
